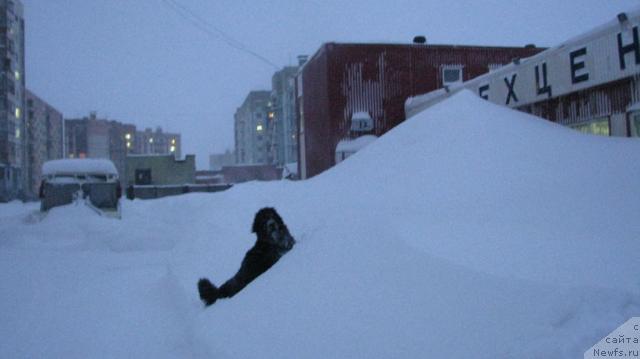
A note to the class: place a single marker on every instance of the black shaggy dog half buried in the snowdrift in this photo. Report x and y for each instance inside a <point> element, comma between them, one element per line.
<point>273,242</point>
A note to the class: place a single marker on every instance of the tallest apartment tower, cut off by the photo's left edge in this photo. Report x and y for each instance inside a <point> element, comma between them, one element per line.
<point>13,156</point>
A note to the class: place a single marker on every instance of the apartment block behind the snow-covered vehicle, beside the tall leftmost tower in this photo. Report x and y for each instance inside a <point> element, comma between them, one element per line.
<point>45,141</point>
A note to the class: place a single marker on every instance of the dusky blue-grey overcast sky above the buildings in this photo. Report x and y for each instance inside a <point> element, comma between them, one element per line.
<point>140,62</point>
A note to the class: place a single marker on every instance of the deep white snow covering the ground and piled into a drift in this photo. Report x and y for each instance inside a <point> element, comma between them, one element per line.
<point>469,231</point>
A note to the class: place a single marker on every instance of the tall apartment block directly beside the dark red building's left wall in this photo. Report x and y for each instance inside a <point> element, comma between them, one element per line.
<point>282,126</point>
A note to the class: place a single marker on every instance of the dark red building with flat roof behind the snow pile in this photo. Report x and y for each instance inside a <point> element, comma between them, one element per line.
<point>341,80</point>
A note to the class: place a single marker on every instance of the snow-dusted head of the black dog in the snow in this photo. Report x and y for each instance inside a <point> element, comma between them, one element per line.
<point>270,228</point>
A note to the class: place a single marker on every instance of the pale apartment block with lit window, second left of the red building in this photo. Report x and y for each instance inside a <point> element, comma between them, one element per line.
<point>251,123</point>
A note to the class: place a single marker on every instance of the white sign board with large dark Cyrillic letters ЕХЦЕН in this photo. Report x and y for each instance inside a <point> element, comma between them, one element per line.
<point>607,54</point>
